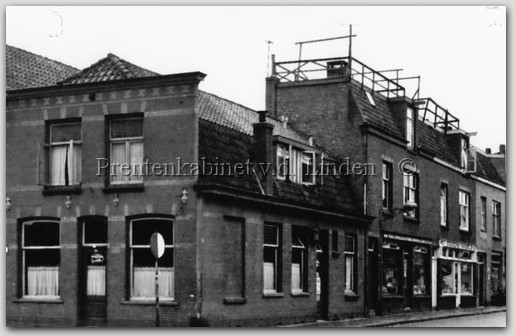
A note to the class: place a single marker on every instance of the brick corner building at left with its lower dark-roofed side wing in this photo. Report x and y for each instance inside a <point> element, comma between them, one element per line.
<point>260,247</point>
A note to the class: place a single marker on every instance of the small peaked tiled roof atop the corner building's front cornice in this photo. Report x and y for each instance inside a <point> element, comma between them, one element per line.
<point>108,68</point>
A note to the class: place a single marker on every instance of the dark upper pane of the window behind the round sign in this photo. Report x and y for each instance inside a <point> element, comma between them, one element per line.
<point>142,230</point>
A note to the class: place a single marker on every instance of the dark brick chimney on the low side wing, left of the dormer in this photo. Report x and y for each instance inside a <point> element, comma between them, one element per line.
<point>264,153</point>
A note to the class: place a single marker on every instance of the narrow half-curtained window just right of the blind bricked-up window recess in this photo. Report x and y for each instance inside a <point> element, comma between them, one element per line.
<point>271,259</point>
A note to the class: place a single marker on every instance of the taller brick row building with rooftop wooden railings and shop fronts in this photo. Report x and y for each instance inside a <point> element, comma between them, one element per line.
<point>425,246</point>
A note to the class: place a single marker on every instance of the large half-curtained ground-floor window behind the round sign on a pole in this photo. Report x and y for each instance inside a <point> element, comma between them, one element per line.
<point>142,262</point>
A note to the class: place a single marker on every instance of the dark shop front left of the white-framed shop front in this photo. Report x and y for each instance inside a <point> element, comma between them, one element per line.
<point>405,273</point>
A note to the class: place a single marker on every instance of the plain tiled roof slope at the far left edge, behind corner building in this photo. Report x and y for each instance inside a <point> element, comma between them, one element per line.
<point>27,70</point>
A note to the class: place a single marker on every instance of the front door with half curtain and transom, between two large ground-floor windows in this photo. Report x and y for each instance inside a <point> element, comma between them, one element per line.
<point>93,272</point>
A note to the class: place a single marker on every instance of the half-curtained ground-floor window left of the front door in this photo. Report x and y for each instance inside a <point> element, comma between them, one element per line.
<point>41,254</point>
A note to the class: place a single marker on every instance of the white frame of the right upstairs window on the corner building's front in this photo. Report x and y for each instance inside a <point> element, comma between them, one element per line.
<point>133,177</point>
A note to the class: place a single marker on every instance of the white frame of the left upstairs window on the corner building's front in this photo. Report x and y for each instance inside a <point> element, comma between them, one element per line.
<point>71,144</point>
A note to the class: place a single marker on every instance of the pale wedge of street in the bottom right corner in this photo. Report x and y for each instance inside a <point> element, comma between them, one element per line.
<point>483,320</point>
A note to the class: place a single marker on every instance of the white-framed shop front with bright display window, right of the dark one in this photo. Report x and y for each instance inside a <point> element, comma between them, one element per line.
<point>457,275</point>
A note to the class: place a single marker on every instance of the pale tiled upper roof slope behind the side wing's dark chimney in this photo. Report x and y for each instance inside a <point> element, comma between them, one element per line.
<point>240,118</point>
